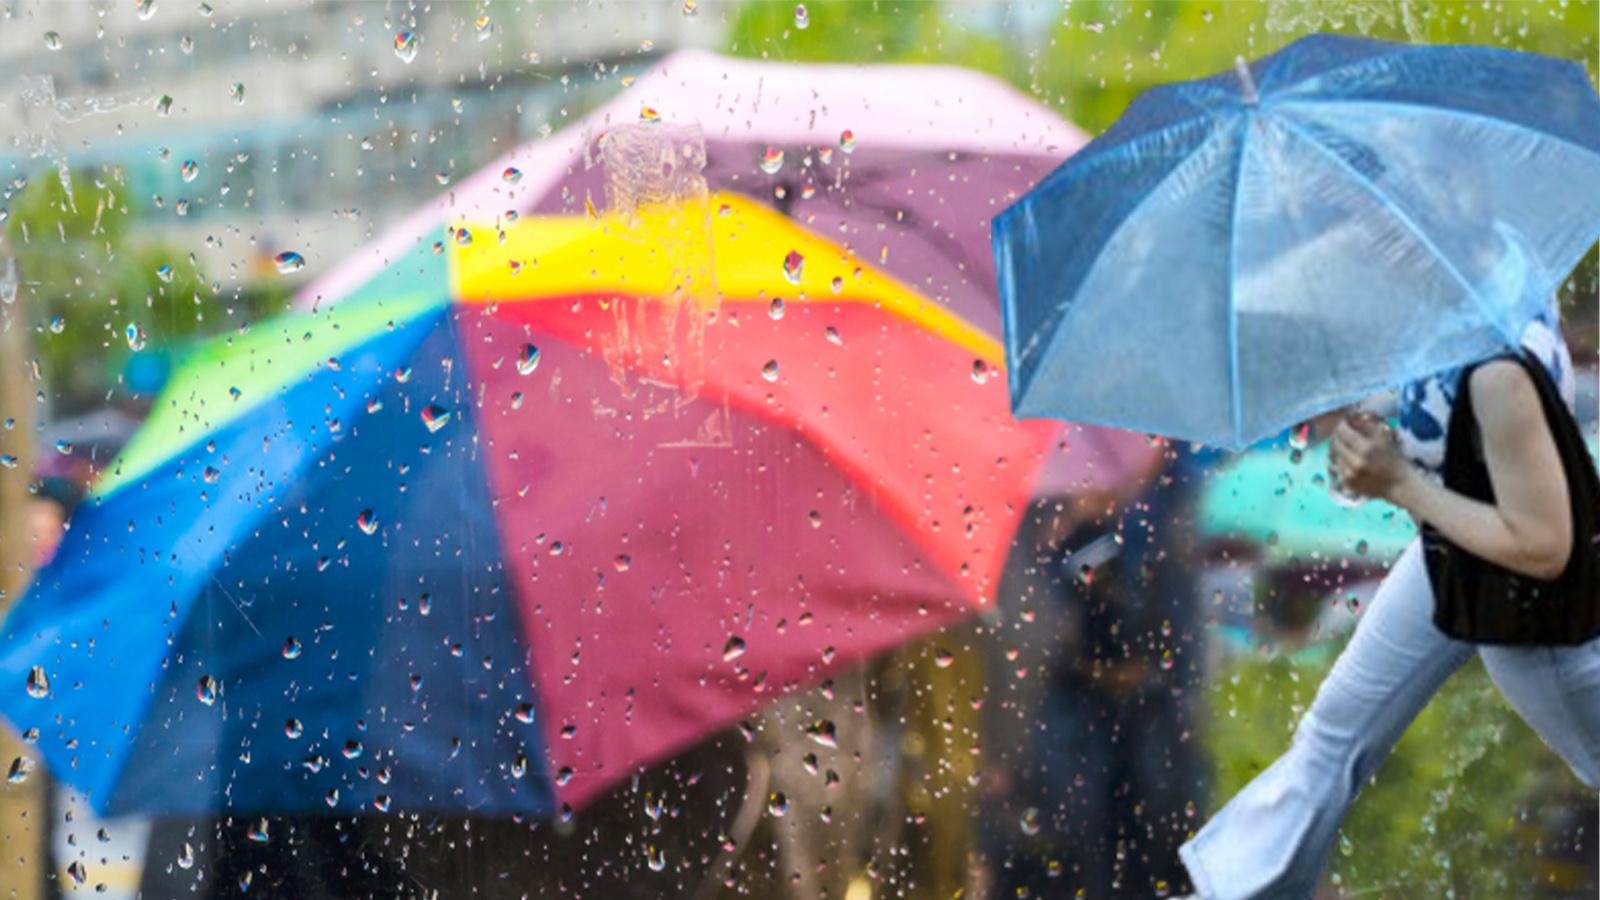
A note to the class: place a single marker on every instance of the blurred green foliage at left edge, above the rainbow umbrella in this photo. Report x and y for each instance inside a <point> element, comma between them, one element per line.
<point>89,275</point>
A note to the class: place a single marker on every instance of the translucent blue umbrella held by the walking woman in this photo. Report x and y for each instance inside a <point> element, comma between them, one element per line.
<point>1247,251</point>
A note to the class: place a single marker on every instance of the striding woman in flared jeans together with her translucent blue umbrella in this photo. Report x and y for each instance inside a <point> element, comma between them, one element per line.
<point>1340,219</point>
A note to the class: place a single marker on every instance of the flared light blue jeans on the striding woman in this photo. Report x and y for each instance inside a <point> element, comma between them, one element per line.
<point>1273,840</point>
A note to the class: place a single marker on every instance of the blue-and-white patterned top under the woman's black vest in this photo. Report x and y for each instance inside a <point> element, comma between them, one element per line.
<point>1426,403</point>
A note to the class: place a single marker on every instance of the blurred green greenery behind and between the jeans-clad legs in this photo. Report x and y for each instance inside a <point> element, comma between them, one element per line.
<point>1471,805</point>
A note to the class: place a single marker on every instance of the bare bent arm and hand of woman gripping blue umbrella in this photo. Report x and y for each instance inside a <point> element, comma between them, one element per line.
<point>1529,528</point>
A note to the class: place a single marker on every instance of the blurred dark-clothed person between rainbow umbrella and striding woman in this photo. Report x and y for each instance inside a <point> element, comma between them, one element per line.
<point>1095,773</point>
